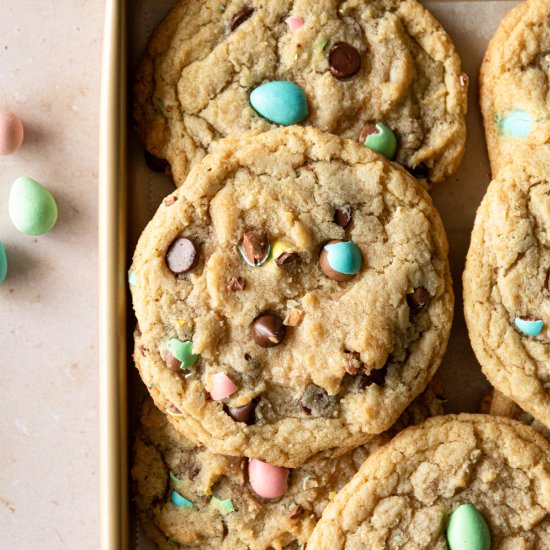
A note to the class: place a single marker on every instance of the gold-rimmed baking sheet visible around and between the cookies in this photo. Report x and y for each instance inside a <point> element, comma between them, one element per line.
<point>470,24</point>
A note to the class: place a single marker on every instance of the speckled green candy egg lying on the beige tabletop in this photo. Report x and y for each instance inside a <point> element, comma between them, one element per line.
<point>32,207</point>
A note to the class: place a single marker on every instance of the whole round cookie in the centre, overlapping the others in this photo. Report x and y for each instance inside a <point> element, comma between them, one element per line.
<point>293,297</point>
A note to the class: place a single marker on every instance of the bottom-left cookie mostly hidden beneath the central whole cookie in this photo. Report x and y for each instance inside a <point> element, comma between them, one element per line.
<point>188,497</point>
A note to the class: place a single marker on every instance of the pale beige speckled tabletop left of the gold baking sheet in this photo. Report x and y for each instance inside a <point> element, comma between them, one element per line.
<point>50,55</point>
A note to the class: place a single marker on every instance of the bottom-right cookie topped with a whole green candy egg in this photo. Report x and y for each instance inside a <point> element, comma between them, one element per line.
<point>459,482</point>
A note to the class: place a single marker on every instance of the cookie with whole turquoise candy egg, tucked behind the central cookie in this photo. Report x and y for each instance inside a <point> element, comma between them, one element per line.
<point>383,72</point>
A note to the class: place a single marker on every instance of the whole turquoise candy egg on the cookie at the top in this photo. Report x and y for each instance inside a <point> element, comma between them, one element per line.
<point>281,102</point>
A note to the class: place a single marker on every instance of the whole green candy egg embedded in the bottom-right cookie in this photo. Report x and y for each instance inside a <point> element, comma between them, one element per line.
<point>468,530</point>
